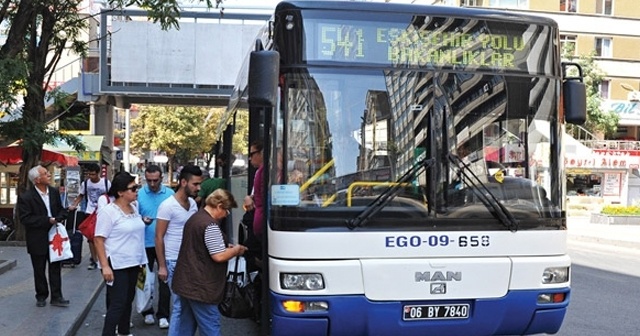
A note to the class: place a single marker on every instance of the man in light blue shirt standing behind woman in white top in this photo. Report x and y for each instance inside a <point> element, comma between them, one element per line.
<point>149,199</point>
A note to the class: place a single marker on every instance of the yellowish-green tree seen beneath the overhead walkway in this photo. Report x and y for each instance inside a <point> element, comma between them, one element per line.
<point>175,130</point>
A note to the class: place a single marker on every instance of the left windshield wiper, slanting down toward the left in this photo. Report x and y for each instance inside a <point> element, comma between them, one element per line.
<point>383,199</point>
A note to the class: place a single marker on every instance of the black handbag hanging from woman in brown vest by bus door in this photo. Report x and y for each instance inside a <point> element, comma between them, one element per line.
<point>238,300</point>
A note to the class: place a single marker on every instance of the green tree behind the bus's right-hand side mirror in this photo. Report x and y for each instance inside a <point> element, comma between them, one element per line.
<point>598,121</point>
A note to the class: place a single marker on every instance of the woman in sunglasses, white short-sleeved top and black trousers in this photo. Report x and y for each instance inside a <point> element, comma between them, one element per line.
<point>119,243</point>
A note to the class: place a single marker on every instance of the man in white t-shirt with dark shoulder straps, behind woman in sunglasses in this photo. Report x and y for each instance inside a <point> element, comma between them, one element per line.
<point>93,187</point>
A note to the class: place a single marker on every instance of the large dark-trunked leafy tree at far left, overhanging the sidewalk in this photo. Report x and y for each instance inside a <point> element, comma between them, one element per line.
<point>38,32</point>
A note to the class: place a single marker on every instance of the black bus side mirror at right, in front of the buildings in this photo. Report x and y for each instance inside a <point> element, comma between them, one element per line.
<point>574,95</point>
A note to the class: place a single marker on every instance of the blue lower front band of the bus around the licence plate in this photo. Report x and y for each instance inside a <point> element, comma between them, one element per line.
<point>516,313</point>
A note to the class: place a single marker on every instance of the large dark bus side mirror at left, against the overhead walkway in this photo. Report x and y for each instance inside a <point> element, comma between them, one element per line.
<point>264,69</point>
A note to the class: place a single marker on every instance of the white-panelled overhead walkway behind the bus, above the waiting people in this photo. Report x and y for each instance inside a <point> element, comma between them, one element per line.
<point>196,64</point>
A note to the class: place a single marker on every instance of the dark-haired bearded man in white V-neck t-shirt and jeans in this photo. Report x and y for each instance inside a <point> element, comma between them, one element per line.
<point>172,214</point>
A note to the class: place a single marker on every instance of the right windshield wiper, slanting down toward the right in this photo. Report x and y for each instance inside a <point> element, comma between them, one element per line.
<point>484,194</point>
